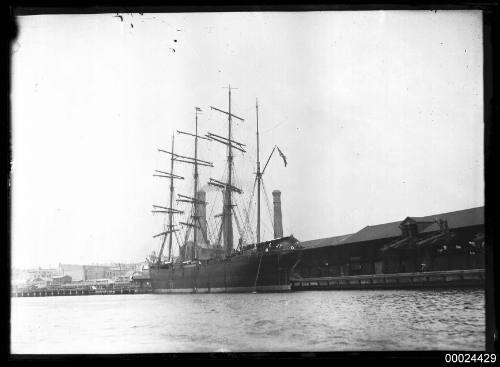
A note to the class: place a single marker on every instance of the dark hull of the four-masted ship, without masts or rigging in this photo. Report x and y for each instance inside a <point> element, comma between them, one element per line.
<point>238,273</point>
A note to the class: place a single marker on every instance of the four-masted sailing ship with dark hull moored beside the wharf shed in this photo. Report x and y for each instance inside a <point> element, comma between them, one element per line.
<point>201,267</point>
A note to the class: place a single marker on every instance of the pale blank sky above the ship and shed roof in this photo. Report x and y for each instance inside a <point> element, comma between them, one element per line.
<point>379,115</point>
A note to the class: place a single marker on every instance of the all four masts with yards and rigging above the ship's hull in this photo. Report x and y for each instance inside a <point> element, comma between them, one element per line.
<point>228,186</point>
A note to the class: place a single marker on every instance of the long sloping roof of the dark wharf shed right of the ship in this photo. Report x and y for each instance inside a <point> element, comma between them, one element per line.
<point>456,219</point>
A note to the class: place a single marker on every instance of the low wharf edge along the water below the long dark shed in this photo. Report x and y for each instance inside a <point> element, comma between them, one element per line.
<point>431,279</point>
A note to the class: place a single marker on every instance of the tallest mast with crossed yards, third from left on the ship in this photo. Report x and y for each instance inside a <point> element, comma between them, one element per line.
<point>228,188</point>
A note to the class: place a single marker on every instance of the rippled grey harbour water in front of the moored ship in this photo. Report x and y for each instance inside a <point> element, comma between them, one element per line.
<point>368,320</point>
